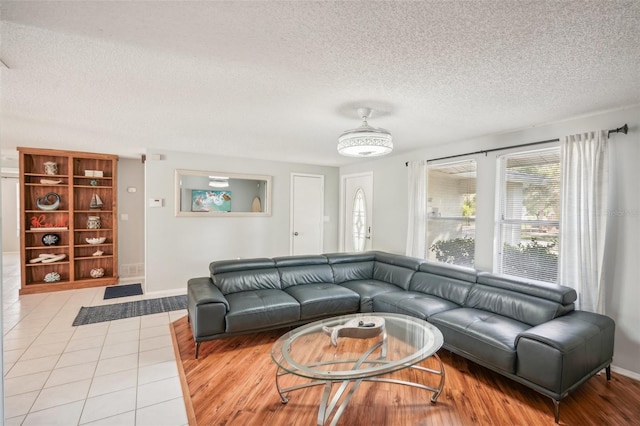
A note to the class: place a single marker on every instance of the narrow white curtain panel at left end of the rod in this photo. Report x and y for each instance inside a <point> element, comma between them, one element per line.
<point>417,223</point>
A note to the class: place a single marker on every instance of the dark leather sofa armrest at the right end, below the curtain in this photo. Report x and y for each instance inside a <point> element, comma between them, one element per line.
<point>562,353</point>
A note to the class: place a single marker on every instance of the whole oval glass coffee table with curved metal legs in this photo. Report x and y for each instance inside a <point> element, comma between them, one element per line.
<point>344,351</point>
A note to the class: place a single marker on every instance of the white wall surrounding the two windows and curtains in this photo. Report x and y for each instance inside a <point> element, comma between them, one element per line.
<point>623,292</point>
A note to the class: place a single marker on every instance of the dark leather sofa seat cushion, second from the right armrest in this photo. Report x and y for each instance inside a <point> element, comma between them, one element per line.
<point>412,303</point>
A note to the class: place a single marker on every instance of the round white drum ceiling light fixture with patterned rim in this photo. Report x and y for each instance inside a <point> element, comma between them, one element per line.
<point>365,141</point>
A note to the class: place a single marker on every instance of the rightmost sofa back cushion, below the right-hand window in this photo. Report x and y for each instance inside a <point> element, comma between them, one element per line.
<point>524,301</point>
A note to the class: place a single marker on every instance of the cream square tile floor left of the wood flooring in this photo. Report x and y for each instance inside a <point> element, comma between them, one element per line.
<point>111,373</point>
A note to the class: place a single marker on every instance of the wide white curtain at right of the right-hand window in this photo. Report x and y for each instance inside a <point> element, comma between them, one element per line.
<point>583,217</point>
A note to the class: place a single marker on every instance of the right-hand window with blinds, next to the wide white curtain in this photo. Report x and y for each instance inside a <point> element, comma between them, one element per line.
<point>528,210</point>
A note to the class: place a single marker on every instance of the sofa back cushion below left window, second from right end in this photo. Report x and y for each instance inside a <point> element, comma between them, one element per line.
<point>445,281</point>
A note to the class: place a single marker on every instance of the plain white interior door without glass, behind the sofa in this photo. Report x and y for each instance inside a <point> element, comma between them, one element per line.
<point>307,214</point>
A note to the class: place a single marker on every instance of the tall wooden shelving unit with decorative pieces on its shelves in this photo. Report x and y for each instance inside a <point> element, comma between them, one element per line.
<point>67,222</point>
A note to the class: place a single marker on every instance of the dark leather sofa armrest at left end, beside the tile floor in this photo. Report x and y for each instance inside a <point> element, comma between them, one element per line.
<point>207,308</point>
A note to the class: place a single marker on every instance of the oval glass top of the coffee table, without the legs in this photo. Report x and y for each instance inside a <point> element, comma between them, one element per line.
<point>356,346</point>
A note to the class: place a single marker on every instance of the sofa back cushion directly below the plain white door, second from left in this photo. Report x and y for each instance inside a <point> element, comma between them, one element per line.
<point>299,270</point>
